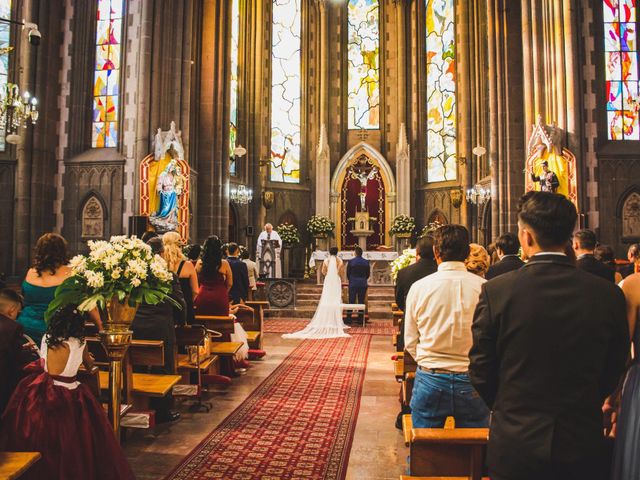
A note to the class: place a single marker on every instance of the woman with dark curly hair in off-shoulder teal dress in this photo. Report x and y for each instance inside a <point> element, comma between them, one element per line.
<point>39,286</point>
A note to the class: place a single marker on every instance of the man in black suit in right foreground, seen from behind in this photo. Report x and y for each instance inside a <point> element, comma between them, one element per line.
<point>550,343</point>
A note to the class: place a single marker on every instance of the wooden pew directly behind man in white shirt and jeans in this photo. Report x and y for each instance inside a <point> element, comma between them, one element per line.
<point>448,451</point>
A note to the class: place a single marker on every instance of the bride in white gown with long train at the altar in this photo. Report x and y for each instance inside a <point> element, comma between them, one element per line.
<point>327,321</point>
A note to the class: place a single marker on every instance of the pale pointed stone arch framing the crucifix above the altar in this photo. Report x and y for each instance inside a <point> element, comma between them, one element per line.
<point>386,174</point>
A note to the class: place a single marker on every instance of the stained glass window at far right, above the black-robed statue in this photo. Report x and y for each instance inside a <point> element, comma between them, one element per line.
<point>621,60</point>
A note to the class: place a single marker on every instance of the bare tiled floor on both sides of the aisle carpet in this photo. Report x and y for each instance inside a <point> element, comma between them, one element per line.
<point>378,451</point>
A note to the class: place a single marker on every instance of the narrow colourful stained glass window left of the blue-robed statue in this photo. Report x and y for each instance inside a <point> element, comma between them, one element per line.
<point>106,86</point>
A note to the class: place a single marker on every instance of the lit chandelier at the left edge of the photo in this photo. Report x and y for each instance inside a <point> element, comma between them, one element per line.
<point>16,111</point>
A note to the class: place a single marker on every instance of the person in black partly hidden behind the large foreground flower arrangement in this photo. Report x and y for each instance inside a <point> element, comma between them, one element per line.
<point>157,322</point>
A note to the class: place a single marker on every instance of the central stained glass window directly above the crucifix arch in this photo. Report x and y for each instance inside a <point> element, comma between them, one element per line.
<point>364,64</point>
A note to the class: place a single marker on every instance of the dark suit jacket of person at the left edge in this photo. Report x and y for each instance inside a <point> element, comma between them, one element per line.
<point>12,358</point>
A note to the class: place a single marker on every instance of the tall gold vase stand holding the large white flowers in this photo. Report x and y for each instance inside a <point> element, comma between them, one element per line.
<point>115,339</point>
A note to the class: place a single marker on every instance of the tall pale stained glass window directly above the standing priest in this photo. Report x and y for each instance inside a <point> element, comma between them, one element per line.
<point>285,91</point>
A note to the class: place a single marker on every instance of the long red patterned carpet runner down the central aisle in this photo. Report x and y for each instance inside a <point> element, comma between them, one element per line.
<point>298,424</point>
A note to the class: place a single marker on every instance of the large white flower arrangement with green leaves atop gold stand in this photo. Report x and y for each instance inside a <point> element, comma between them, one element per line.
<point>123,267</point>
